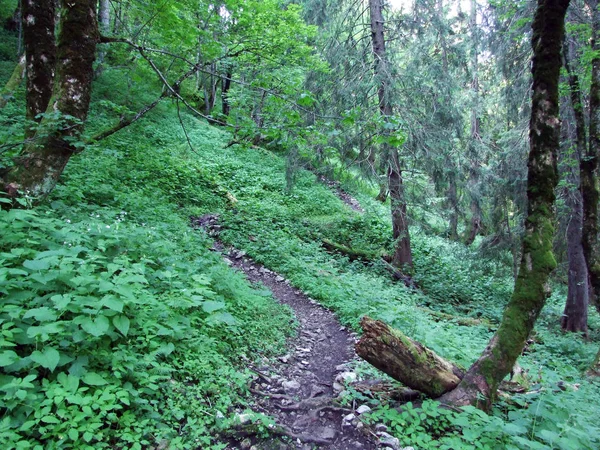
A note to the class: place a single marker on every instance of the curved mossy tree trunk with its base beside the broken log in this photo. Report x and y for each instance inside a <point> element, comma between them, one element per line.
<point>480,384</point>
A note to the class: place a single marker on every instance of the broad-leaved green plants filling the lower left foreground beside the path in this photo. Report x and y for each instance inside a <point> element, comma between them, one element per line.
<point>97,325</point>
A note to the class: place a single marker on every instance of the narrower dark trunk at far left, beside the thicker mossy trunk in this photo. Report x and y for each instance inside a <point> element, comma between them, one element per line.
<point>40,52</point>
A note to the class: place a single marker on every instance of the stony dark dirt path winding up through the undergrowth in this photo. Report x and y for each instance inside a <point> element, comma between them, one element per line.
<point>298,389</point>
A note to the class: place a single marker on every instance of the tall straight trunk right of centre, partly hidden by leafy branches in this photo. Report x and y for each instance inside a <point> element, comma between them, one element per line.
<point>402,254</point>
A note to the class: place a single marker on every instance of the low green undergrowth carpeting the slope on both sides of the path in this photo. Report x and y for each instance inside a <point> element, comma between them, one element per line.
<point>117,316</point>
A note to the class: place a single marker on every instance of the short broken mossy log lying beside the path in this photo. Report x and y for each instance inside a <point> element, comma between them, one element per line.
<point>406,360</point>
